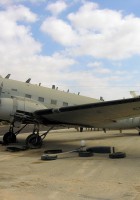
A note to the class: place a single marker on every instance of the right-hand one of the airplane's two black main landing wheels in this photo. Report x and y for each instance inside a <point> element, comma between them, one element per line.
<point>33,141</point>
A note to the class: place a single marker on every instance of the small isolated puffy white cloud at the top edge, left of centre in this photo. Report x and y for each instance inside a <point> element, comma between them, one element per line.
<point>57,7</point>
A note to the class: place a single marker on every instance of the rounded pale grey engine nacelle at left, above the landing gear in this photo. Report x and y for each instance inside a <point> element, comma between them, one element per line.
<point>9,107</point>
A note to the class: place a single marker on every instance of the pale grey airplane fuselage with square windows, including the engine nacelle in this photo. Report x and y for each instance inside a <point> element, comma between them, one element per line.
<point>21,97</point>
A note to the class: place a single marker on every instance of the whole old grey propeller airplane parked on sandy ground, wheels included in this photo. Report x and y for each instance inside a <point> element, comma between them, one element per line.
<point>23,103</point>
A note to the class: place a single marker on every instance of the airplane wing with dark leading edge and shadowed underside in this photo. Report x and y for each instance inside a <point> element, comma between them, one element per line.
<point>90,114</point>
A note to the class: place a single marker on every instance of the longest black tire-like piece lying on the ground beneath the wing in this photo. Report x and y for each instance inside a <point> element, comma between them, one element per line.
<point>101,149</point>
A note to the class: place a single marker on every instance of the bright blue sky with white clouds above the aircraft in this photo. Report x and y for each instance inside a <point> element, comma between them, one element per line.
<point>86,46</point>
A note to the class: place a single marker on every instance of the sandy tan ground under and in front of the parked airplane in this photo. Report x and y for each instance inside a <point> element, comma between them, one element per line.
<point>23,175</point>
